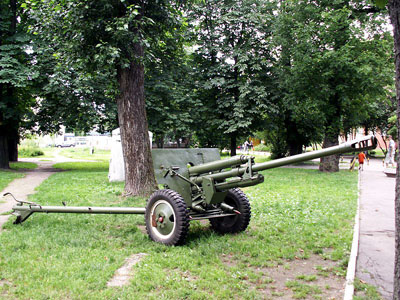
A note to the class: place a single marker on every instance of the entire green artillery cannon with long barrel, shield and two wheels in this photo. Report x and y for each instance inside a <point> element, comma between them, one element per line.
<point>197,185</point>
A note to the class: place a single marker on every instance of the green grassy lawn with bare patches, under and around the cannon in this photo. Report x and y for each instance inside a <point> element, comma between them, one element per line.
<point>298,216</point>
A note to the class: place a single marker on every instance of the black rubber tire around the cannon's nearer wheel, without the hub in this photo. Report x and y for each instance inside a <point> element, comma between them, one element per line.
<point>181,217</point>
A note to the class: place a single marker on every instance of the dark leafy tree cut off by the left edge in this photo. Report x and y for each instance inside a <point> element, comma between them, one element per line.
<point>16,76</point>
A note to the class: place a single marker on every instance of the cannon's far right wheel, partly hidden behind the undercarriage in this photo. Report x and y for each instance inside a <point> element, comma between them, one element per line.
<point>238,223</point>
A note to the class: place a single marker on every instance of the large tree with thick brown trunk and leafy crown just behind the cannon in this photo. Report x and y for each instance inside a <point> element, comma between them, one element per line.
<point>111,36</point>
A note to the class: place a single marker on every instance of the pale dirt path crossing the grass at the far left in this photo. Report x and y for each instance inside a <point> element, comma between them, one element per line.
<point>21,188</point>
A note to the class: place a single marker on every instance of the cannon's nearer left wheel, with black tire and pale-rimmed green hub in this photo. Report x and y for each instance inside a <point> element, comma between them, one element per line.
<point>167,219</point>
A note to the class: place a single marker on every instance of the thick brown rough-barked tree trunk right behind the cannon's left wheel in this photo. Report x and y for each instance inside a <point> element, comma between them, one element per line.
<point>139,173</point>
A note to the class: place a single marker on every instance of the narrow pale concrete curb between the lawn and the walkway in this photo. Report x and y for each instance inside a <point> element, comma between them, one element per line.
<point>351,267</point>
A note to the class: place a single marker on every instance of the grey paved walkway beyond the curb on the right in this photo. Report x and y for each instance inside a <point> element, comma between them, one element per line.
<point>375,262</point>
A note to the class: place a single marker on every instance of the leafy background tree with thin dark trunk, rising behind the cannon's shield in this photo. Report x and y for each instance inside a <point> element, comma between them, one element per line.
<point>233,59</point>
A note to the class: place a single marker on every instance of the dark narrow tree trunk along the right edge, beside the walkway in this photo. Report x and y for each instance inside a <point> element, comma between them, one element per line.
<point>394,12</point>
